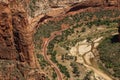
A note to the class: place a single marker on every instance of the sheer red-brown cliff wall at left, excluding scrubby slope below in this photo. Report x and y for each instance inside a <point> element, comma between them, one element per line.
<point>15,35</point>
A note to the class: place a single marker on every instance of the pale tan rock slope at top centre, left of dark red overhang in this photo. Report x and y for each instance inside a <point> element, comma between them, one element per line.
<point>37,7</point>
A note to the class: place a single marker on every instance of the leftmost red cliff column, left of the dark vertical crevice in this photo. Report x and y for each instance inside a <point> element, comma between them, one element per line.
<point>7,46</point>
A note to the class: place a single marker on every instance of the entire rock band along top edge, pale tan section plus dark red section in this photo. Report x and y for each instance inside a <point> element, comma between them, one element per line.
<point>37,7</point>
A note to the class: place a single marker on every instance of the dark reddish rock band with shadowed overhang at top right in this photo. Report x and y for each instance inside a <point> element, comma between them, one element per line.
<point>94,3</point>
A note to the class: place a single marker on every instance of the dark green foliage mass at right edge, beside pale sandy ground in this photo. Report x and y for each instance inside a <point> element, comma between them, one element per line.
<point>110,55</point>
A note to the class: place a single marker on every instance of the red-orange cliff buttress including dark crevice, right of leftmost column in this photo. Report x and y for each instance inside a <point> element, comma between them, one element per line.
<point>23,37</point>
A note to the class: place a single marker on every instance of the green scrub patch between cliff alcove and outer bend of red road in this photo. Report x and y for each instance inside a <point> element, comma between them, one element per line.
<point>44,31</point>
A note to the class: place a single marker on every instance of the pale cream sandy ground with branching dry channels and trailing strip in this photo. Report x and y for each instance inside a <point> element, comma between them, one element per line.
<point>83,51</point>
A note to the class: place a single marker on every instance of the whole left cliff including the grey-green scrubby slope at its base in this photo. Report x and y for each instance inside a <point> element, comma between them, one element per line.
<point>16,45</point>
